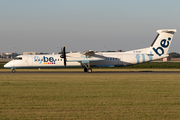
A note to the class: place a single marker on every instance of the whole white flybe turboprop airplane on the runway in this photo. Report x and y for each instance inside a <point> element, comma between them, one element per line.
<point>158,49</point>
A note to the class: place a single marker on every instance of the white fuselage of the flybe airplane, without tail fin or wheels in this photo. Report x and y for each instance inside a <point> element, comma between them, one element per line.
<point>111,59</point>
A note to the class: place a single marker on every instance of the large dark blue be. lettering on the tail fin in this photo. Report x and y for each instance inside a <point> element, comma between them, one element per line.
<point>164,44</point>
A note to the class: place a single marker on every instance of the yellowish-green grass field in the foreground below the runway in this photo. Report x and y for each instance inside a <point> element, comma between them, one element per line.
<point>90,96</point>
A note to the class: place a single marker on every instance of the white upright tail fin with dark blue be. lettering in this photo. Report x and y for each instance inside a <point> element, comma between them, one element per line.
<point>161,44</point>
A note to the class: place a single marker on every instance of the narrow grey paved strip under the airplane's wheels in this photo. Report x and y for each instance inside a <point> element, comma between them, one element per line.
<point>62,73</point>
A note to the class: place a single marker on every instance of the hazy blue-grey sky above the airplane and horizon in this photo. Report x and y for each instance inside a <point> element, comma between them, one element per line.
<point>80,25</point>
